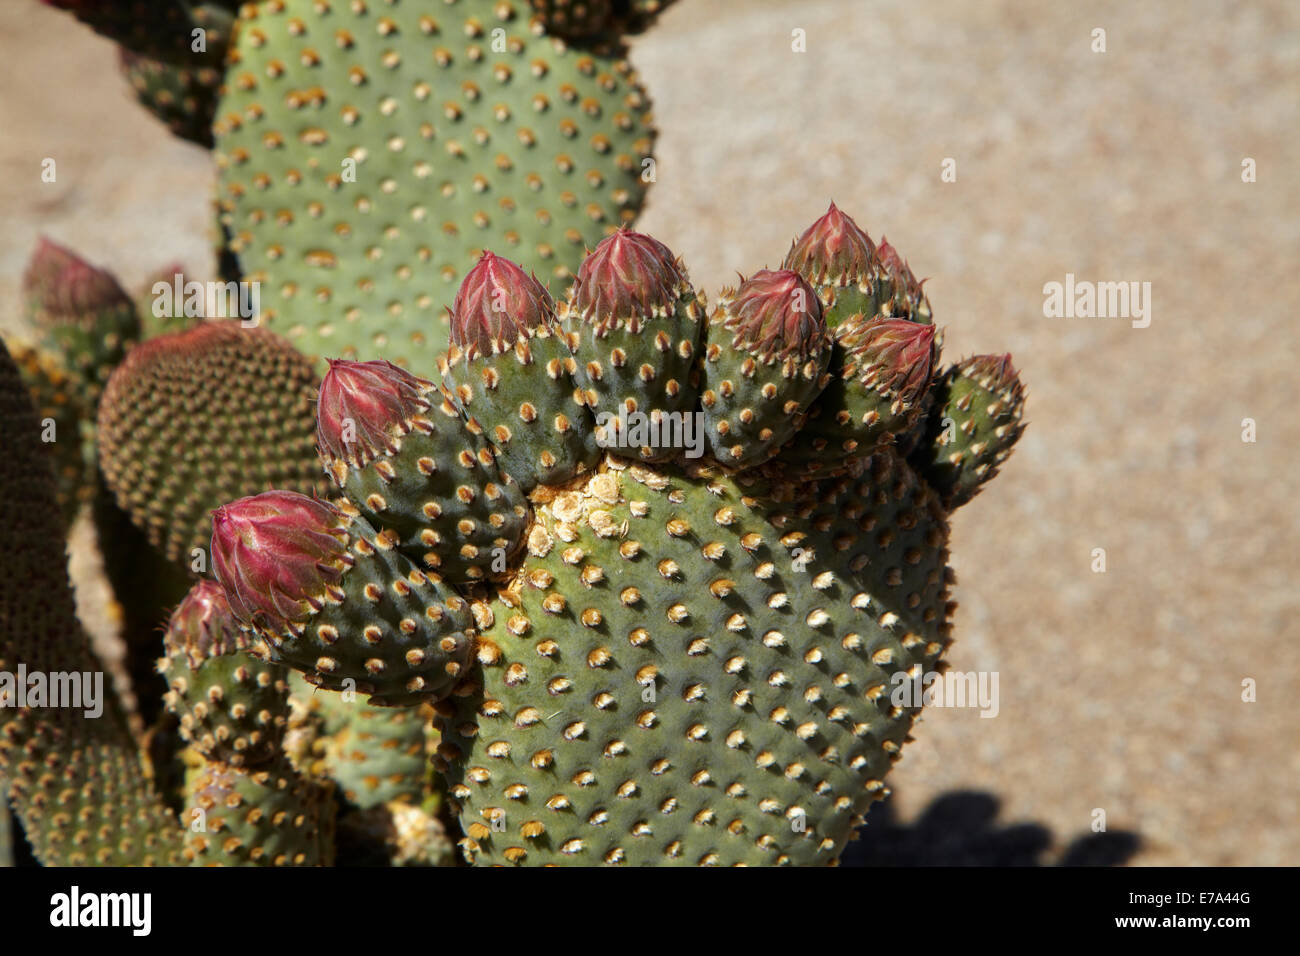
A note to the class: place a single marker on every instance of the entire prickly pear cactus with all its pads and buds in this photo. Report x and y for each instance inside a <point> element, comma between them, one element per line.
<point>651,569</point>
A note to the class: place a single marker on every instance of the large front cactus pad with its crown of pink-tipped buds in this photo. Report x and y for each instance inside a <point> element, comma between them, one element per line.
<point>692,656</point>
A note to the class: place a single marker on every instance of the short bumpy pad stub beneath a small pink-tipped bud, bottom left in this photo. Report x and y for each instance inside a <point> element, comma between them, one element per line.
<point>271,817</point>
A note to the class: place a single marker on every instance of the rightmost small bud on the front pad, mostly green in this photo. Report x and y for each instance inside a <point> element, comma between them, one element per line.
<point>972,429</point>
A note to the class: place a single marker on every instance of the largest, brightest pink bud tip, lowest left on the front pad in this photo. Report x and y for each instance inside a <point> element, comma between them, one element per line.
<point>275,555</point>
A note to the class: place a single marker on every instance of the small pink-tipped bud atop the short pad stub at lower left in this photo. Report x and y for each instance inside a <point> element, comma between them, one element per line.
<point>233,707</point>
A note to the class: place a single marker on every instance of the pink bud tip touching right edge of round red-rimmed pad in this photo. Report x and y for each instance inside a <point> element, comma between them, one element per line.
<point>363,406</point>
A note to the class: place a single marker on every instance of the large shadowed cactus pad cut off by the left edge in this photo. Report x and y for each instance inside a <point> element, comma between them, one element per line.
<point>75,781</point>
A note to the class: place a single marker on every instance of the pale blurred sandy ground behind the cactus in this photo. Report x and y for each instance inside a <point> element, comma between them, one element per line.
<point>1123,691</point>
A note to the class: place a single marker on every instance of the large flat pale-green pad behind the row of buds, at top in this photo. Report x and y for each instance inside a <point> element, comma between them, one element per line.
<point>370,152</point>
